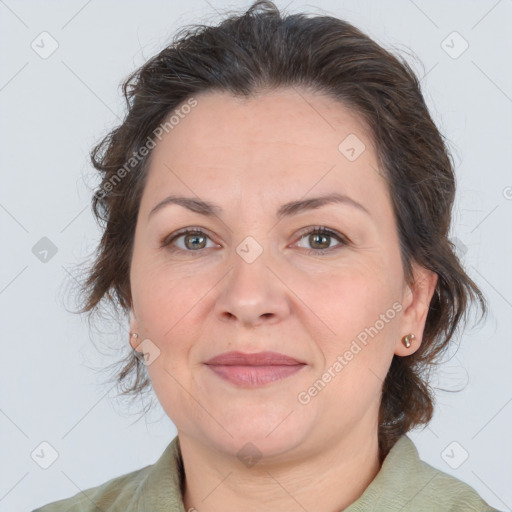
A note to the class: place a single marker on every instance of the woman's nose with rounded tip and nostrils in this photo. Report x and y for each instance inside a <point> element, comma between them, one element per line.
<point>252,294</point>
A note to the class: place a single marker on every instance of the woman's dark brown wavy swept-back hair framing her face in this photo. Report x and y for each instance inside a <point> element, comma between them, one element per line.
<point>262,49</point>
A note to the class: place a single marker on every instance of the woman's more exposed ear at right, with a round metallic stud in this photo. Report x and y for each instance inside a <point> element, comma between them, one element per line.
<point>416,301</point>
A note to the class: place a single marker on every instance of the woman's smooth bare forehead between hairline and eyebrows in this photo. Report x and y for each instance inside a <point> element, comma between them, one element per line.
<point>280,143</point>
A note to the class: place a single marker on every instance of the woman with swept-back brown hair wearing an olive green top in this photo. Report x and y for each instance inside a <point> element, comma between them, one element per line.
<point>276,205</point>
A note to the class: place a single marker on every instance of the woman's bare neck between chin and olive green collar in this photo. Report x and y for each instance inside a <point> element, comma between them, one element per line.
<point>326,480</point>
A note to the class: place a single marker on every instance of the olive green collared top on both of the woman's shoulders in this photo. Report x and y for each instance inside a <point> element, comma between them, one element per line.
<point>404,483</point>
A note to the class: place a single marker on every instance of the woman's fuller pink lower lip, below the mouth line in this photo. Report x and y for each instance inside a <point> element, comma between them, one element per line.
<point>254,376</point>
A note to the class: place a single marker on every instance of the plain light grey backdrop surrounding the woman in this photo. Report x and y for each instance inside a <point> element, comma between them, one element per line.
<point>53,110</point>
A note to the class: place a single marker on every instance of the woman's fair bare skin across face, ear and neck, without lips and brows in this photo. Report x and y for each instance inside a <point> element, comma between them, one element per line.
<point>250,157</point>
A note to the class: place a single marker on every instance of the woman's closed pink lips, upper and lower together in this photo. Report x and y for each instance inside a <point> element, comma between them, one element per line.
<point>253,370</point>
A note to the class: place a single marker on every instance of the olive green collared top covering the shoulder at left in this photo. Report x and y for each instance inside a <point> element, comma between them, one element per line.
<point>149,488</point>
